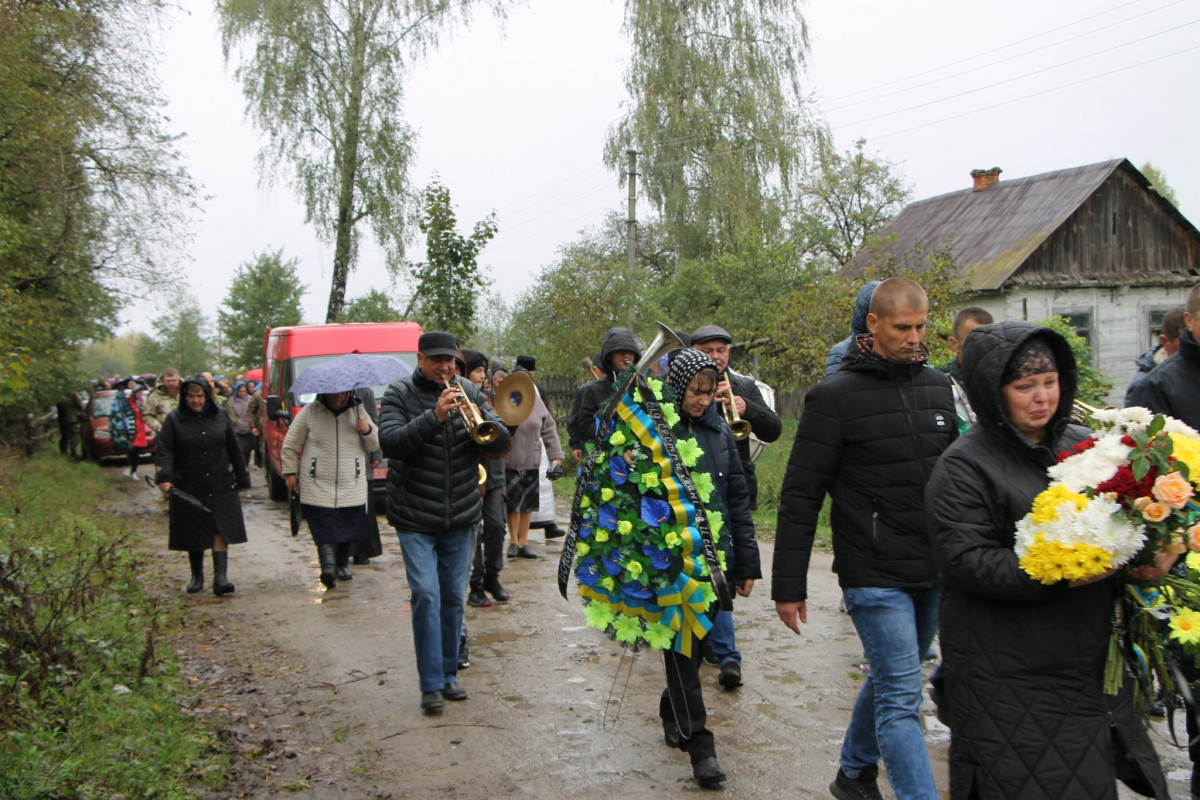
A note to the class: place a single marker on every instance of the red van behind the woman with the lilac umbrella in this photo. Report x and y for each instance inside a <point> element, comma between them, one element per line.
<point>291,351</point>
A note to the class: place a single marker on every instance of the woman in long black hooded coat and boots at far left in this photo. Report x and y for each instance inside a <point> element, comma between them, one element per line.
<point>199,454</point>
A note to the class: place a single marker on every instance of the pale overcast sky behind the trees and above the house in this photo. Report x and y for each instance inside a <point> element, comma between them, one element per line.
<point>515,122</point>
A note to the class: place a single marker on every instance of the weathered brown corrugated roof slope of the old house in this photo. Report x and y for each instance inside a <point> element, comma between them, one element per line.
<point>993,231</point>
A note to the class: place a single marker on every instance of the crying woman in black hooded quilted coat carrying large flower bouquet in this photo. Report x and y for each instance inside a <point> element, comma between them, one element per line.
<point>1024,659</point>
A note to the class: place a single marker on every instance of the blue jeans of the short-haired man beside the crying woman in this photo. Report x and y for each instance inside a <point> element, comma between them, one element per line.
<point>897,628</point>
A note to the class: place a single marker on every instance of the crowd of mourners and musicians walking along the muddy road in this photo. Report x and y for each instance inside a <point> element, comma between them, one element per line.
<point>927,473</point>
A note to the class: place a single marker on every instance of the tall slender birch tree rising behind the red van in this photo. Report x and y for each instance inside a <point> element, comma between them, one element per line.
<point>325,81</point>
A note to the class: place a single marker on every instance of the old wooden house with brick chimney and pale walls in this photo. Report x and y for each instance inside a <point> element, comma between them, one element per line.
<point>1094,244</point>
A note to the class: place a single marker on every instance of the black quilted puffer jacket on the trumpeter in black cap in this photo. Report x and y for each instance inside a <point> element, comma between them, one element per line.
<point>433,467</point>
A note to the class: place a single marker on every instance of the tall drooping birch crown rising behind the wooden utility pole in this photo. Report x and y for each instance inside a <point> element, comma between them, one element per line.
<point>717,112</point>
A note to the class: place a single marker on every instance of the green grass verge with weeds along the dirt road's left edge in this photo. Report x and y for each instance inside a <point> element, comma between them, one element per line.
<point>91,706</point>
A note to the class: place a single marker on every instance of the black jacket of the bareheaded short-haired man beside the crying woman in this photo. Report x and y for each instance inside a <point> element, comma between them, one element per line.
<point>869,437</point>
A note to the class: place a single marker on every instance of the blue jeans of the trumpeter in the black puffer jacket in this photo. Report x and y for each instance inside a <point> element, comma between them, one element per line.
<point>436,566</point>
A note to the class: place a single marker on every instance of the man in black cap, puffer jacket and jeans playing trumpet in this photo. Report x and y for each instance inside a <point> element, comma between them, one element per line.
<point>434,501</point>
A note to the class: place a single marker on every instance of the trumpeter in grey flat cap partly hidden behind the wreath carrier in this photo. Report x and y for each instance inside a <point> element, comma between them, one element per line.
<point>743,394</point>
